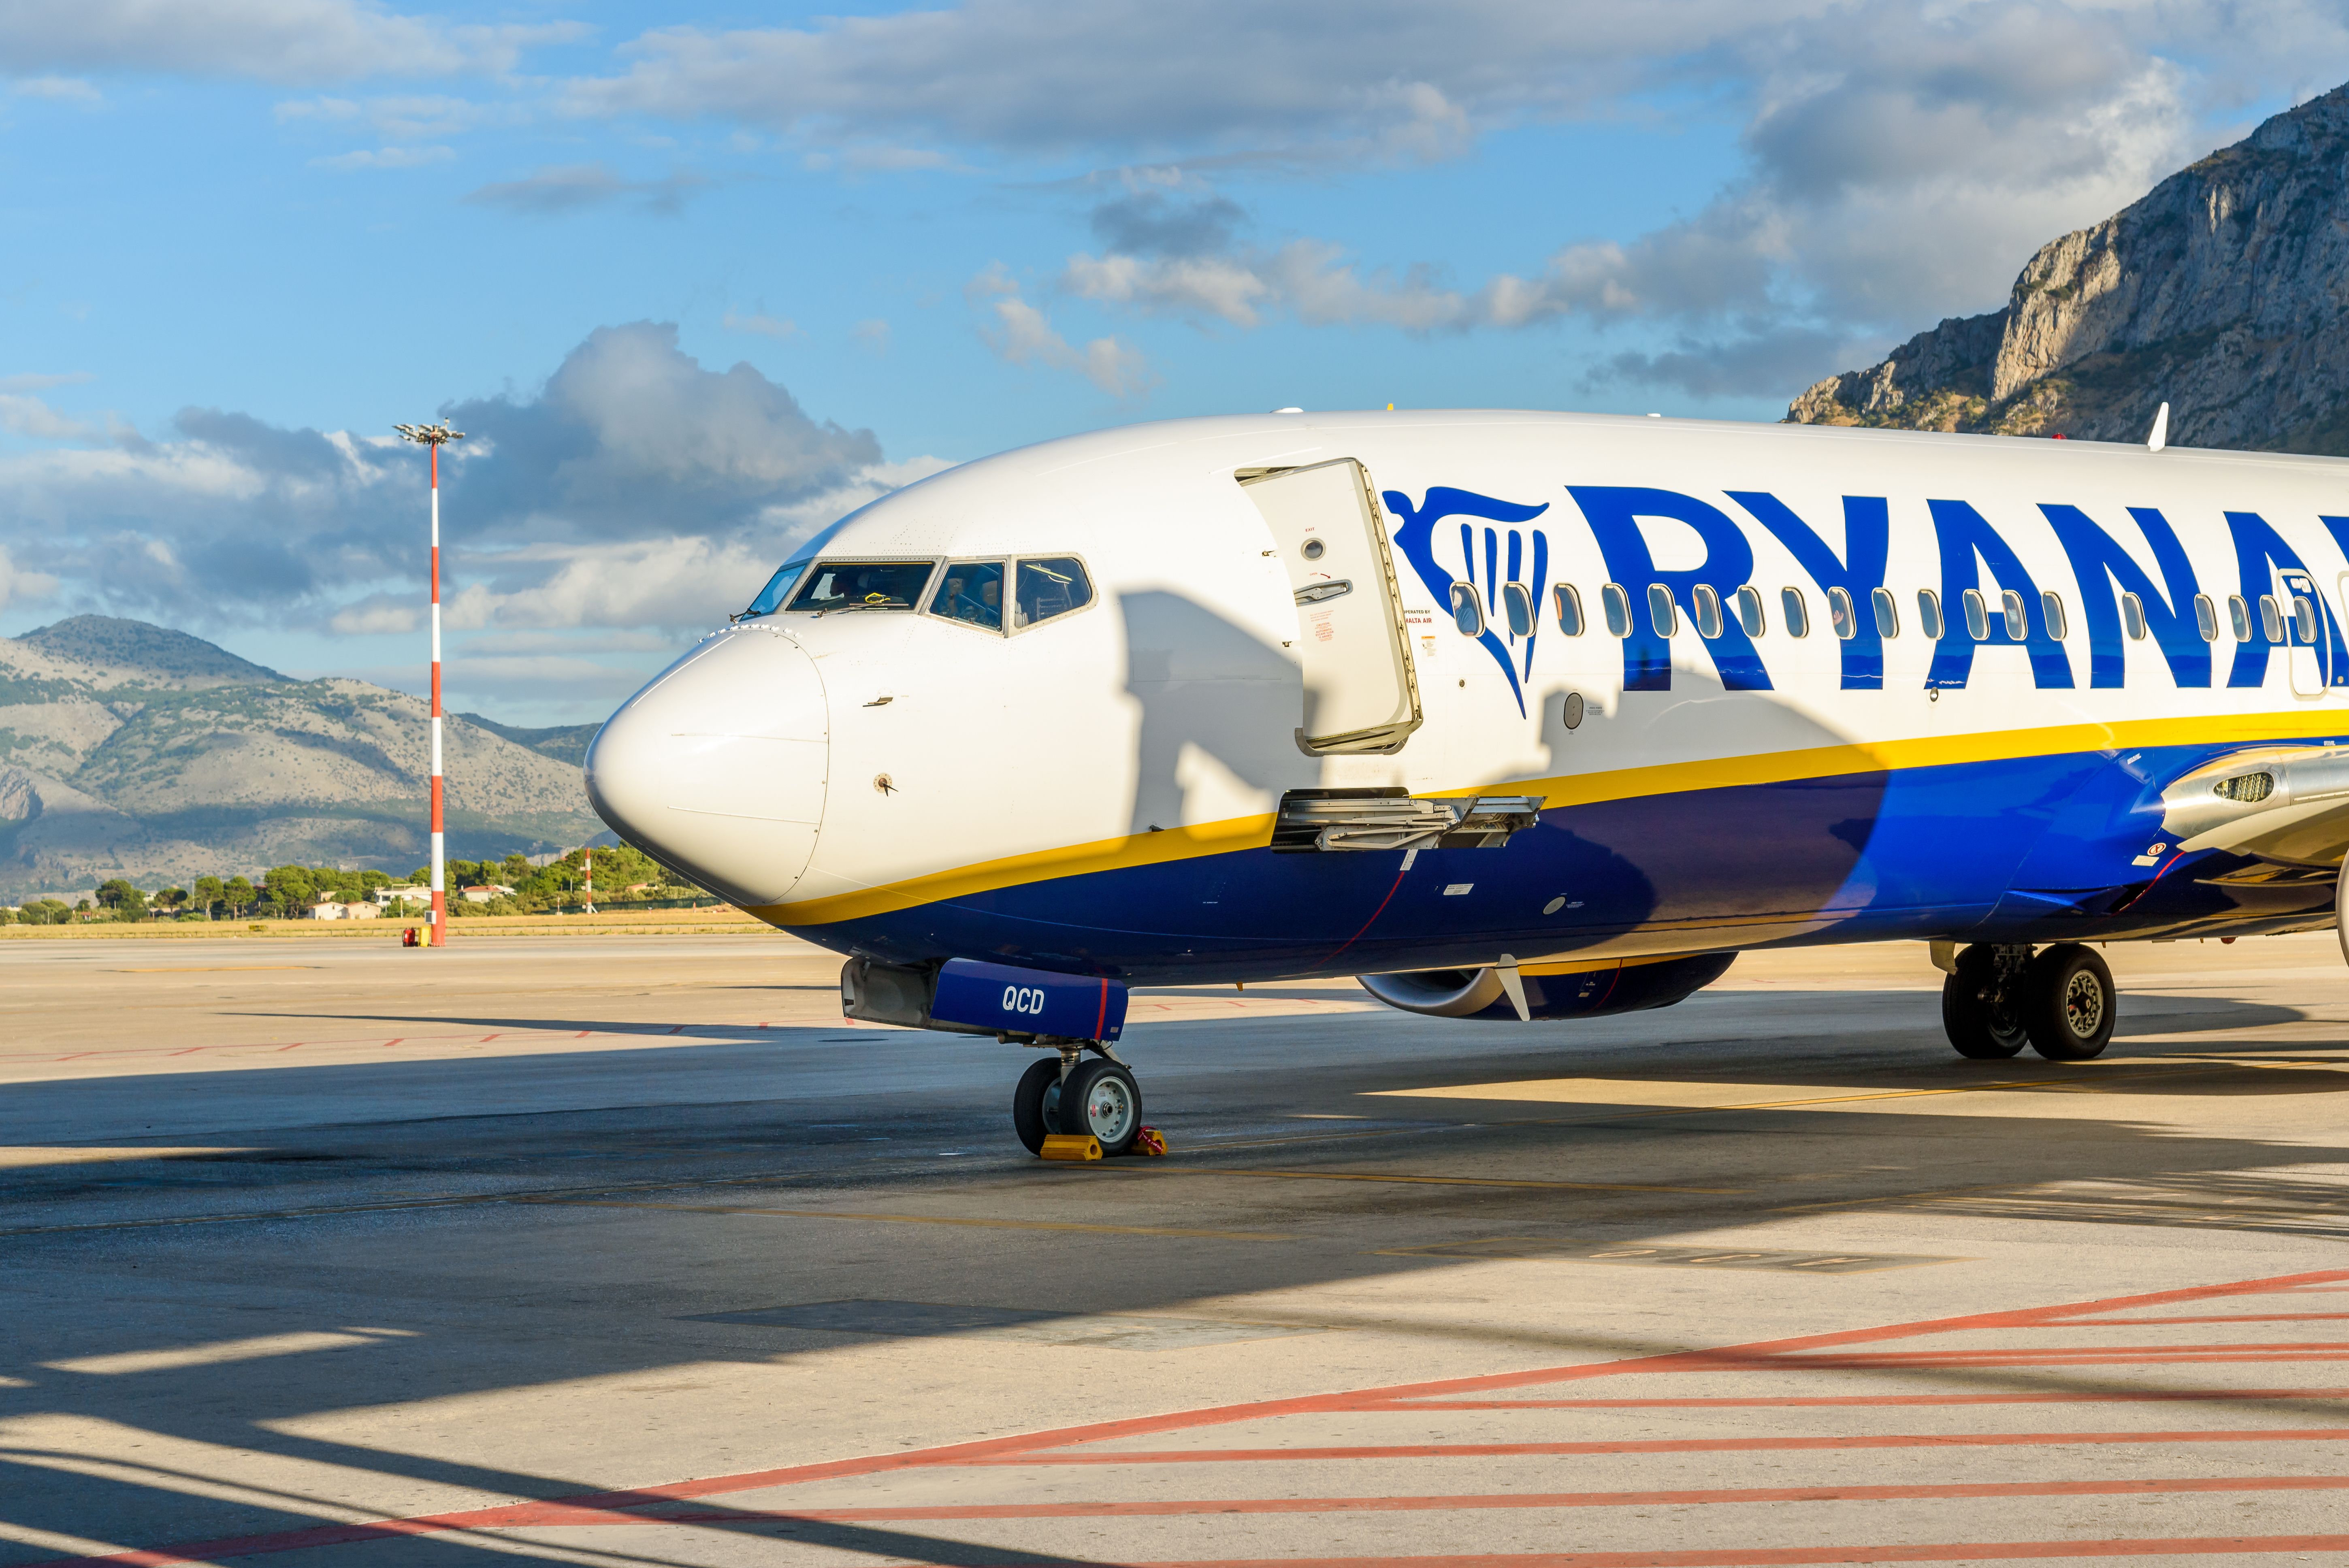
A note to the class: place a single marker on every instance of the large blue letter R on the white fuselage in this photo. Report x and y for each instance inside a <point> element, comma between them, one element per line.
<point>1730,562</point>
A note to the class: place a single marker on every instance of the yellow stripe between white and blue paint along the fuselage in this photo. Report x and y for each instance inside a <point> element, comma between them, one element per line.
<point>1580,790</point>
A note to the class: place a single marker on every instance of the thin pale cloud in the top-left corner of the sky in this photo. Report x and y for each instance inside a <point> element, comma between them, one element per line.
<point>276,41</point>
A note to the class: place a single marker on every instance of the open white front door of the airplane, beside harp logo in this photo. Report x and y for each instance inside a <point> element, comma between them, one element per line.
<point>1361,687</point>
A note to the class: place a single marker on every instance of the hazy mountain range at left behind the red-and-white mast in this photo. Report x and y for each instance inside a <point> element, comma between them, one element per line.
<point>133,750</point>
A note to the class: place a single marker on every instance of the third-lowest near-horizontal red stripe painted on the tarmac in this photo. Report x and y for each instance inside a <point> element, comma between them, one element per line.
<point>1660,1445</point>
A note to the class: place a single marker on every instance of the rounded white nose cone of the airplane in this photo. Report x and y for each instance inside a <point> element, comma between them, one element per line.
<point>718,769</point>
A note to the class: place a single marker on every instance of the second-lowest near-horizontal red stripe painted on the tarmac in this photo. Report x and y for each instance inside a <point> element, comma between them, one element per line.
<point>1516,1501</point>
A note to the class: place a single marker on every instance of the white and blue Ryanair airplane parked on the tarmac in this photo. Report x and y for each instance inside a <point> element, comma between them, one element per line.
<point>1514,717</point>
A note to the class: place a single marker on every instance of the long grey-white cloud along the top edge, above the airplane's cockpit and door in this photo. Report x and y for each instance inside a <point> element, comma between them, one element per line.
<point>1380,79</point>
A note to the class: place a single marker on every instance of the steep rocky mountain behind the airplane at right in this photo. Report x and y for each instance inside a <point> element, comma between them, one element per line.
<point>2219,295</point>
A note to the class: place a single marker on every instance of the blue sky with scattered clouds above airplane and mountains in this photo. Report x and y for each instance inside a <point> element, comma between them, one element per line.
<point>704,278</point>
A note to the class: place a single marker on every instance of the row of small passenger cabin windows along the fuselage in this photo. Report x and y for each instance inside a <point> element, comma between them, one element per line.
<point>1746,607</point>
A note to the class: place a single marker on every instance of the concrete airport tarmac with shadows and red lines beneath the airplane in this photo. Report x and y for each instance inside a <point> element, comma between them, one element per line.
<point>631,1252</point>
